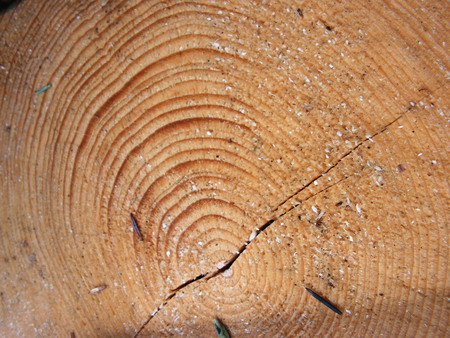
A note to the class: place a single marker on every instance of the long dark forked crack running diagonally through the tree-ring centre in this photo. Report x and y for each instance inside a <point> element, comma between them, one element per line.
<point>259,230</point>
